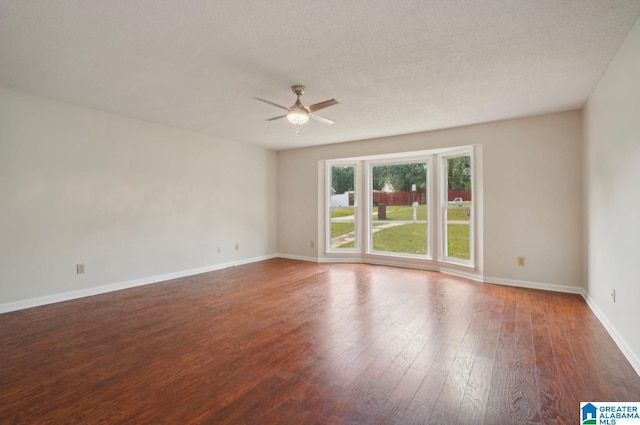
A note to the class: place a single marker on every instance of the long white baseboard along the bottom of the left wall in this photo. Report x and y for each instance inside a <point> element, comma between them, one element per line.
<point>103,289</point>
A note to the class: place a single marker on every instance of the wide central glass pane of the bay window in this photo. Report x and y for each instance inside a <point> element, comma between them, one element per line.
<point>399,210</point>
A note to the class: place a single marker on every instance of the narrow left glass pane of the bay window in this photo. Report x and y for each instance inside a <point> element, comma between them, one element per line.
<point>342,207</point>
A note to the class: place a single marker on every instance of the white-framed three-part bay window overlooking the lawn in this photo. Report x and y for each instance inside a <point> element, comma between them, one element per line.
<point>417,207</point>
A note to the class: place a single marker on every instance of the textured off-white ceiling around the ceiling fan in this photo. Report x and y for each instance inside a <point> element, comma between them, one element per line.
<point>396,67</point>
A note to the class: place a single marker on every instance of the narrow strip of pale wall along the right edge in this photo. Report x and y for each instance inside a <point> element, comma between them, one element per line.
<point>612,176</point>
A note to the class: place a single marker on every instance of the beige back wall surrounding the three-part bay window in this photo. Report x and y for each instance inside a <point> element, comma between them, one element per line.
<point>532,197</point>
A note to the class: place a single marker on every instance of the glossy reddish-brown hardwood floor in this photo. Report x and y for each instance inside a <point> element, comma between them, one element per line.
<point>287,342</point>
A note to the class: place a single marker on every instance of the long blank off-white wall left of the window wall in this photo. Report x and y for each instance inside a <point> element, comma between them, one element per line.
<point>130,199</point>
